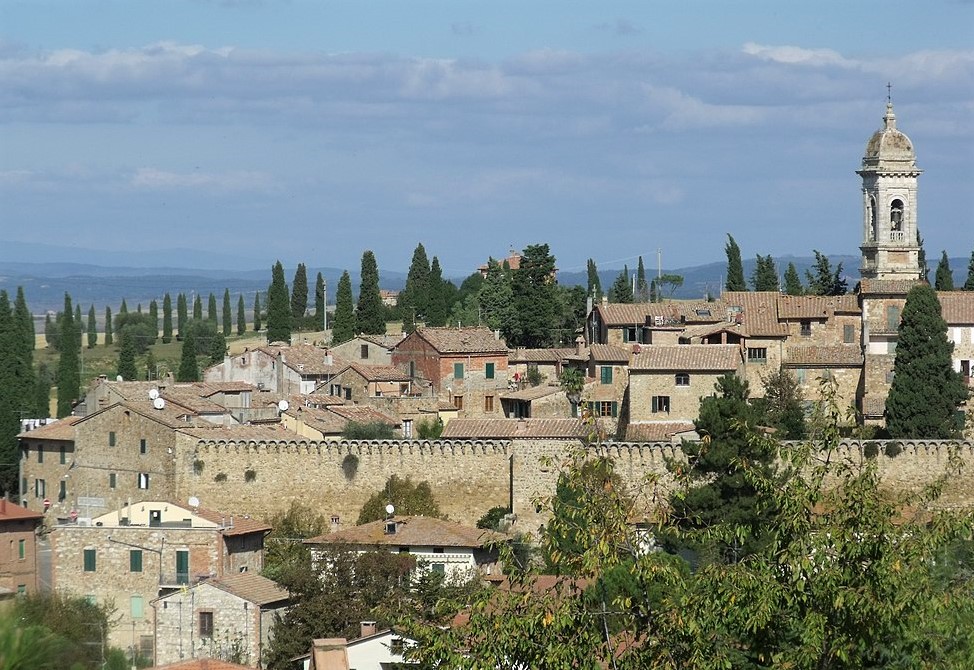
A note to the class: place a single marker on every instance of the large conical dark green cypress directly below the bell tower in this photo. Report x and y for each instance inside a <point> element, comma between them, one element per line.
<point>926,391</point>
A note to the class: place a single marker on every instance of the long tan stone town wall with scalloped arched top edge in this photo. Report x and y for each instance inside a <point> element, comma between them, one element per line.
<point>470,477</point>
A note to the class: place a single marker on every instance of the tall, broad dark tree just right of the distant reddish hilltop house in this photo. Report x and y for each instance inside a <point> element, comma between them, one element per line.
<point>535,298</point>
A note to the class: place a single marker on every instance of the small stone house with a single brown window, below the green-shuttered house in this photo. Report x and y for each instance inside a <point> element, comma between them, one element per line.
<point>228,616</point>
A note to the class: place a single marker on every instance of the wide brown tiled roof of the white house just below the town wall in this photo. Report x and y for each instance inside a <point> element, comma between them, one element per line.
<point>412,530</point>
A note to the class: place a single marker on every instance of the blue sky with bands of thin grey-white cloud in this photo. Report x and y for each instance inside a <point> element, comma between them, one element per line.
<point>310,131</point>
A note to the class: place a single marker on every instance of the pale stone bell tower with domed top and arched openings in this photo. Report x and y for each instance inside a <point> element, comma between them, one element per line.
<point>890,246</point>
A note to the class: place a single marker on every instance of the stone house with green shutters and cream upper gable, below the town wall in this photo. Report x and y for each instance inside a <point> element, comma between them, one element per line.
<point>141,551</point>
